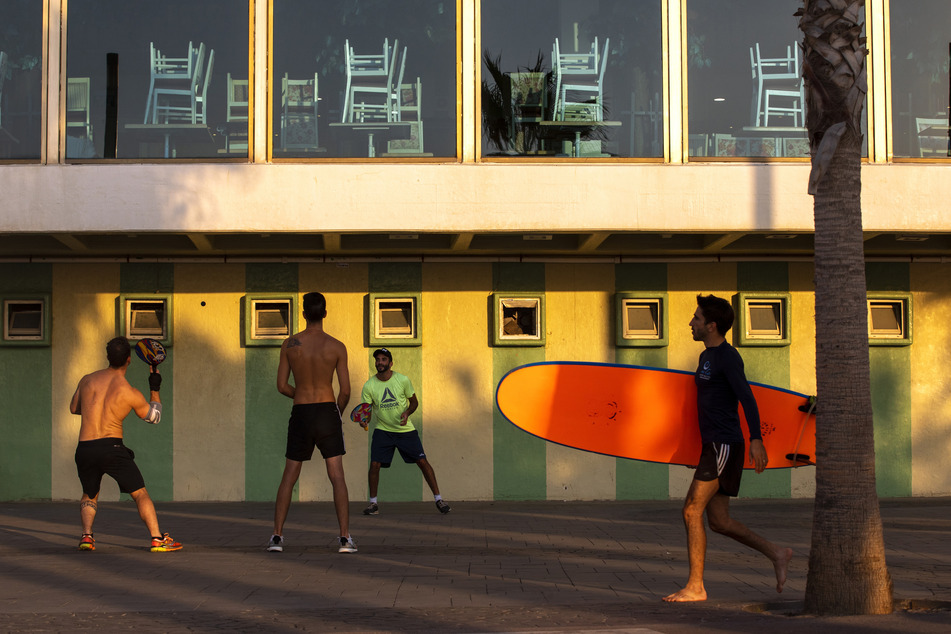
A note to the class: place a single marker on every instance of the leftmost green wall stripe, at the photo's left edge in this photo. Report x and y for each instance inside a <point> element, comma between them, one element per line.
<point>26,423</point>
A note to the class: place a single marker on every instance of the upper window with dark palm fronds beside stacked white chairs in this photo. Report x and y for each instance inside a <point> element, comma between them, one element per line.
<point>572,79</point>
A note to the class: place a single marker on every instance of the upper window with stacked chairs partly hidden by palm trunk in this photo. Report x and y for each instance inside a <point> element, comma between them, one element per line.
<point>744,69</point>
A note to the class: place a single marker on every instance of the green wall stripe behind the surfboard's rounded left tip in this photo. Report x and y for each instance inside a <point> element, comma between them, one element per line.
<point>519,461</point>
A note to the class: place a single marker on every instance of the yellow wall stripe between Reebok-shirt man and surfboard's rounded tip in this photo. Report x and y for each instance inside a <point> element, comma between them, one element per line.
<point>457,379</point>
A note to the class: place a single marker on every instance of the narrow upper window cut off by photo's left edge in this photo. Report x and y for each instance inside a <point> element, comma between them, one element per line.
<point>21,78</point>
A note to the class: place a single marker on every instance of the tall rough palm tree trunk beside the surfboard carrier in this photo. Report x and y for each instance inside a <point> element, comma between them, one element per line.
<point>847,571</point>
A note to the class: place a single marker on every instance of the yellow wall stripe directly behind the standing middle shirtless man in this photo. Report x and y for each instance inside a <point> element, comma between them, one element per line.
<point>344,287</point>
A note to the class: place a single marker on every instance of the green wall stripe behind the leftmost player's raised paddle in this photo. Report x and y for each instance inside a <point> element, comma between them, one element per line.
<point>153,444</point>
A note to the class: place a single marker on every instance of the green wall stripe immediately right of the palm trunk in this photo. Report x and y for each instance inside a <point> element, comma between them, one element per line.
<point>890,377</point>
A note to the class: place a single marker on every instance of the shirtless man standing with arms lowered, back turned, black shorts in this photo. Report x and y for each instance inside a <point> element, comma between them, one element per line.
<point>313,356</point>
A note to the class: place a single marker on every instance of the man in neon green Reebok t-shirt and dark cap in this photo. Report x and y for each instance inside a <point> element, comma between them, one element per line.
<point>394,400</point>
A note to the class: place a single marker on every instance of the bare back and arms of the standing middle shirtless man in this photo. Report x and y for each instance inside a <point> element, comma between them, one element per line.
<point>313,356</point>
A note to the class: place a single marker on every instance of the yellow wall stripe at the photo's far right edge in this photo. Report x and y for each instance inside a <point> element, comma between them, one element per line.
<point>931,381</point>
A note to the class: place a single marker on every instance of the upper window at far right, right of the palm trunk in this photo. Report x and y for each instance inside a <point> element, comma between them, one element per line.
<point>920,52</point>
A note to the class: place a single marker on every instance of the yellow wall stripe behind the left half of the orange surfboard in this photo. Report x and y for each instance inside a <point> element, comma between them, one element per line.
<point>577,299</point>
